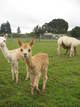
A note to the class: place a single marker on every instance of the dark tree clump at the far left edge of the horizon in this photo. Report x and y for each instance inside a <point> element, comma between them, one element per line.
<point>5,27</point>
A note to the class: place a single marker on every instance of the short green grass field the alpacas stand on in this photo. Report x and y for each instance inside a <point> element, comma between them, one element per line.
<point>63,85</point>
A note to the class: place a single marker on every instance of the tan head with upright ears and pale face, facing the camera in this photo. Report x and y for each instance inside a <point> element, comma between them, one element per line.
<point>26,49</point>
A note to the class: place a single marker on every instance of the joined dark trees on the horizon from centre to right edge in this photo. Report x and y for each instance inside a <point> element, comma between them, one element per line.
<point>57,26</point>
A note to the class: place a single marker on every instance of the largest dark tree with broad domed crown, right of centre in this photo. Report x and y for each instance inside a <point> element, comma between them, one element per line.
<point>56,26</point>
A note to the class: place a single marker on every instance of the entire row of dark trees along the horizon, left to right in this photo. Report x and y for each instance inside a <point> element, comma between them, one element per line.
<point>56,26</point>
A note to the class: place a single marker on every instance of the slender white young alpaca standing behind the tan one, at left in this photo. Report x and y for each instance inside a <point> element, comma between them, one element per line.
<point>12,56</point>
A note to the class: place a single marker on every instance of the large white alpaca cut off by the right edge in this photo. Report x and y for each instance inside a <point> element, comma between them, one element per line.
<point>68,43</point>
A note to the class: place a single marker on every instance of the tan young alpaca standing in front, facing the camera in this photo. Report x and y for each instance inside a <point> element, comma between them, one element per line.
<point>37,65</point>
